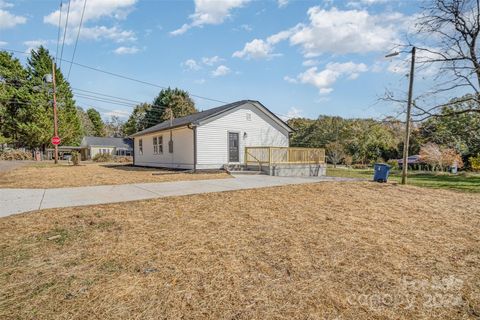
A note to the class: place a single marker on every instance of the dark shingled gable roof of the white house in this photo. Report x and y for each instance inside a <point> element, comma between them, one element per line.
<point>196,117</point>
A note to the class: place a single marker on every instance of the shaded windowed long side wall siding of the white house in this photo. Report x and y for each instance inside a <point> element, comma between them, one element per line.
<point>181,158</point>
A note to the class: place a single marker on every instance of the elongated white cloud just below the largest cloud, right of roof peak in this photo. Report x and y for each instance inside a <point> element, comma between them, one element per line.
<point>324,79</point>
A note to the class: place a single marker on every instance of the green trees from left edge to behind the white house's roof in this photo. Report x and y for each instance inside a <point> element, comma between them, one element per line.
<point>26,107</point>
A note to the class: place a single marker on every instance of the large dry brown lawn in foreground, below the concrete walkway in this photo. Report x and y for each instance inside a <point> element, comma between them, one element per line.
<point>331,251</point>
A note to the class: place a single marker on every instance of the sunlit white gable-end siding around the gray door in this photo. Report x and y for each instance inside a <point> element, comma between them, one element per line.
<point>212,137</point>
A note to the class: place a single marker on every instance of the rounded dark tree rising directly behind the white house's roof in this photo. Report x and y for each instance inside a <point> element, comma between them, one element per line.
<point>177,100</point>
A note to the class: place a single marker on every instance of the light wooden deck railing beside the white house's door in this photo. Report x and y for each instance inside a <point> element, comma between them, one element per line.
<point>283,155</point>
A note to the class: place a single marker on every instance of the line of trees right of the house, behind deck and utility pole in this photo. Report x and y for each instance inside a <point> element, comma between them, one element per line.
<point>451,134</point>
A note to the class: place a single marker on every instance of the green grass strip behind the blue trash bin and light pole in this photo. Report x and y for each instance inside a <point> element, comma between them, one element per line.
<point>467,182</point>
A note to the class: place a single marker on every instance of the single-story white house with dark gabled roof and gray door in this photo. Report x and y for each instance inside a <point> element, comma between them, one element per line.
<point>211,138</point>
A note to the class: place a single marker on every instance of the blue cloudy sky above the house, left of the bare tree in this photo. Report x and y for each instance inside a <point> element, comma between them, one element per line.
<point>298,58</point>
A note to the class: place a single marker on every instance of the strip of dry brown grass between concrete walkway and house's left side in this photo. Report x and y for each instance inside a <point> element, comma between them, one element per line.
<point>92,174</point>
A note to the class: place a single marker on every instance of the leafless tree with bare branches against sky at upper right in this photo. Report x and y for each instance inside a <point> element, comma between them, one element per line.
<point>448,30</point>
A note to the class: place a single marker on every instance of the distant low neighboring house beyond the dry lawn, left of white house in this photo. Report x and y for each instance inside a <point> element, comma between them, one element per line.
<point>92,146</point>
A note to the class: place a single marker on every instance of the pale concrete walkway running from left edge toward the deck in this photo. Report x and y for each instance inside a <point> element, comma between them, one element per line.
<point>22,200</point>
